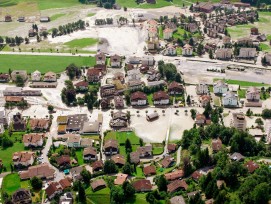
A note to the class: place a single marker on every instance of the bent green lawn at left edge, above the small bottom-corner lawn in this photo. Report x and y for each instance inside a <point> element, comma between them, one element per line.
<point>6,154</point>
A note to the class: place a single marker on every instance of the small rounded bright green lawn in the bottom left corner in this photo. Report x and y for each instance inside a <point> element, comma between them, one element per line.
<point>11,183</point>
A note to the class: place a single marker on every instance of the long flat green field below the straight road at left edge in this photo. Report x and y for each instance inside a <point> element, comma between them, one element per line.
<point>42,63</point>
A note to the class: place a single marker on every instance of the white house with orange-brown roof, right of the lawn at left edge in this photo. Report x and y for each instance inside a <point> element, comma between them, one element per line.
<point>23,158</point>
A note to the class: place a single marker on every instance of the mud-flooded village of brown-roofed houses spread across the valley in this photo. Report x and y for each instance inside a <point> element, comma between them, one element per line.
<point>182,114</point>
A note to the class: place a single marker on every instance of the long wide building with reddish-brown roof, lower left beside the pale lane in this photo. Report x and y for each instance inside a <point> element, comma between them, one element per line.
<point>43,171</point>
